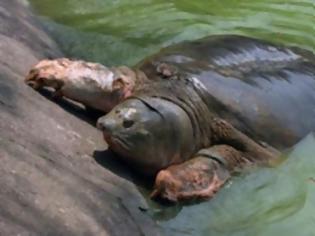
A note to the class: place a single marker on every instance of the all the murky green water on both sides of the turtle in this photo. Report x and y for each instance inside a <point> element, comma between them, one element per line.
<point>267,202</point>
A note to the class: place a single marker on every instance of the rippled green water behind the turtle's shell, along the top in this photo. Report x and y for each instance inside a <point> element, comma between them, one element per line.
<point>125,31</point>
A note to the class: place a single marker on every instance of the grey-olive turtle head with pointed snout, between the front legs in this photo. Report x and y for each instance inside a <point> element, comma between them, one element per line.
<point>149,133</point>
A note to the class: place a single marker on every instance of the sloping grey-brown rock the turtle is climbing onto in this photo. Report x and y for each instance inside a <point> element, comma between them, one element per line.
<point>51,182</point>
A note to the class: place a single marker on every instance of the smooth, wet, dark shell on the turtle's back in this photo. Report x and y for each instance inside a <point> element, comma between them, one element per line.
<point>265,90</point>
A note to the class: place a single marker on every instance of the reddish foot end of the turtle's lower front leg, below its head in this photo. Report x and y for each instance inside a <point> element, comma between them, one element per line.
<point>199,178</point>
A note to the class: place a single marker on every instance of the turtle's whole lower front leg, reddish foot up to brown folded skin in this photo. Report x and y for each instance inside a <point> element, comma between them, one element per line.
<point>200,177</point>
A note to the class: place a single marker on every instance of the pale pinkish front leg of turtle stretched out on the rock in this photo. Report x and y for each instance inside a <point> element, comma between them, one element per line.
<point>91,84</point>
